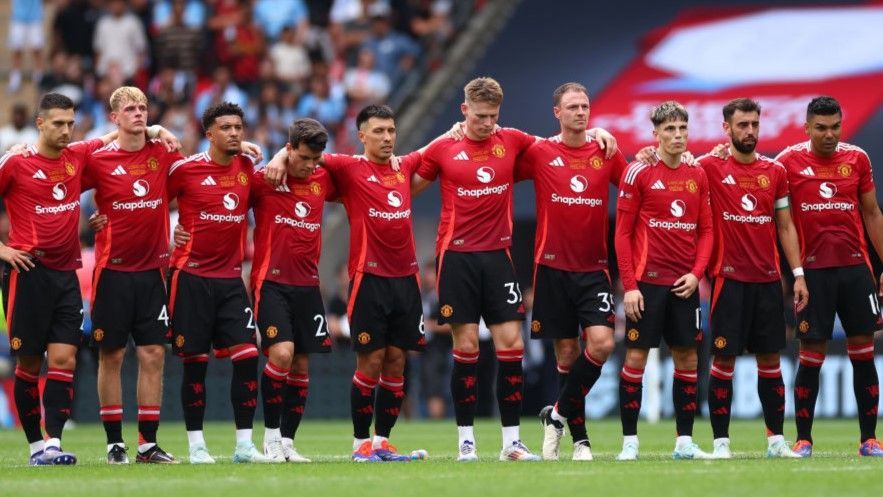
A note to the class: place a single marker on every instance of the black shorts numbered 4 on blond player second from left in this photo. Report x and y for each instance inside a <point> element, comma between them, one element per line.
<point>129,302</point>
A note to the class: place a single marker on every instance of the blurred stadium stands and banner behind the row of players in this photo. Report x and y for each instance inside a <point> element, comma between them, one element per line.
<point>530,46</point>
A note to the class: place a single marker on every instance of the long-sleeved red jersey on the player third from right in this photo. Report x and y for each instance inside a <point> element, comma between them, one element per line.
<point>663,225</point>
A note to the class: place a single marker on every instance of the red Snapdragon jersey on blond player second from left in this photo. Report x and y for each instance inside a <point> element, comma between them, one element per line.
<point>130,189</point>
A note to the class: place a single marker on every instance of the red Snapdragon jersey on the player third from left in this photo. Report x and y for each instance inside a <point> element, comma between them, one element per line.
<point>212,207</point>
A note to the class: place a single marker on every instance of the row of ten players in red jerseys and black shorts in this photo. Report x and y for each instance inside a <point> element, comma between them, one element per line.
<point>678,219</point>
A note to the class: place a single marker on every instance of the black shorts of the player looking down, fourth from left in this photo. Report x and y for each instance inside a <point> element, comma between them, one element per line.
<point>288,313</point>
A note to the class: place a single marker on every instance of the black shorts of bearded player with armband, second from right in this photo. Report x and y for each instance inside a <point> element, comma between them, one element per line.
<point>747,316</point>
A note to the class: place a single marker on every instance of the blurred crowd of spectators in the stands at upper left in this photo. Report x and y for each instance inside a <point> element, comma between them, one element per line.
<point>278,59</point>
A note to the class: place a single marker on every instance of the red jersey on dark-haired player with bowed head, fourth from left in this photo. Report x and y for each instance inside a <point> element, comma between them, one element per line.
<point>288,228</point>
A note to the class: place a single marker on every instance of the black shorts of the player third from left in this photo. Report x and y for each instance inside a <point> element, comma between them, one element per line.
<point>208,313</point>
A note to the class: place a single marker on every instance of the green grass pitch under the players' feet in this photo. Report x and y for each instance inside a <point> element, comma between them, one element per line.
<point>834,470</point>
